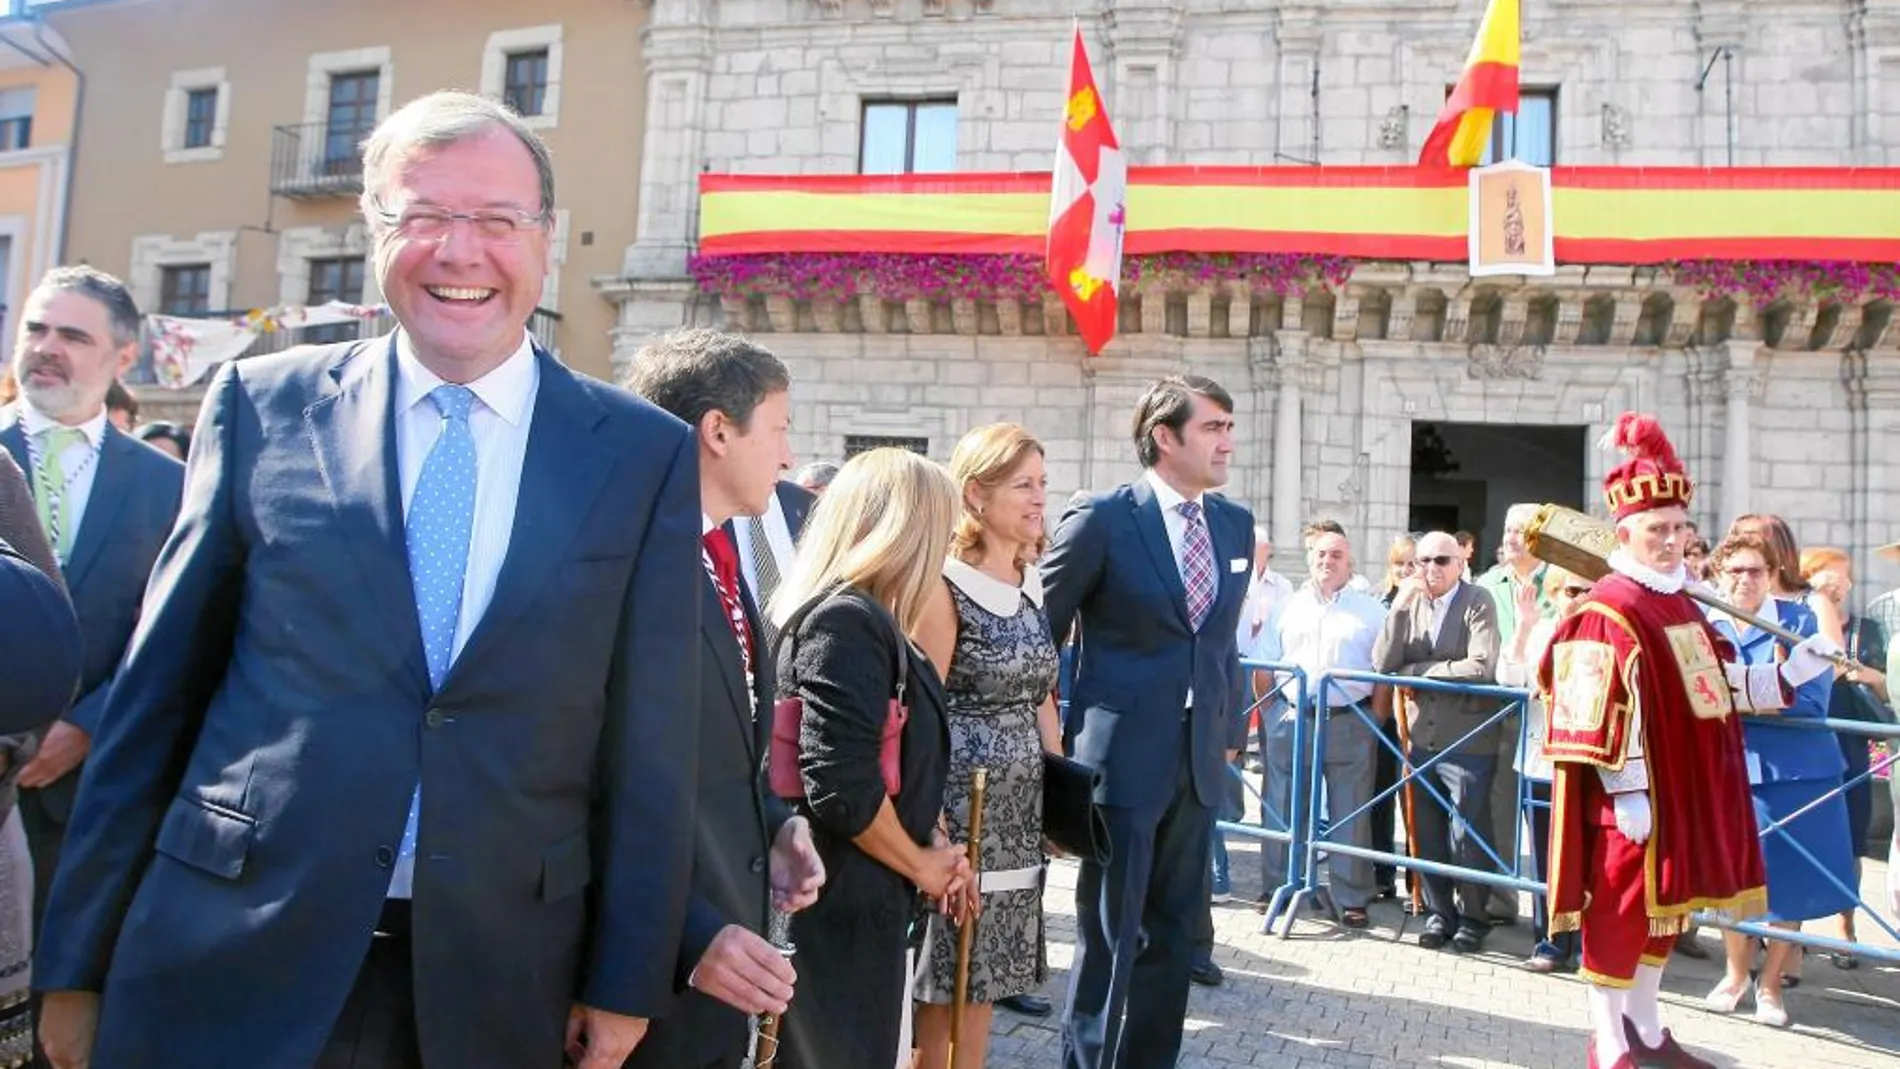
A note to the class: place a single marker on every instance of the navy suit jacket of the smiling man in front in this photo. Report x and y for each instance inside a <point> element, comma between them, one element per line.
<point>252,776</point>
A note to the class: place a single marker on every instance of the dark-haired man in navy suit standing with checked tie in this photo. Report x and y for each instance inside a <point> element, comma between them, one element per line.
<point>1154,576</point>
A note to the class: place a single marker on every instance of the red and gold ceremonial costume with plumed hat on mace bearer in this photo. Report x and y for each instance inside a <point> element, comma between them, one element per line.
<point>1639,700</point>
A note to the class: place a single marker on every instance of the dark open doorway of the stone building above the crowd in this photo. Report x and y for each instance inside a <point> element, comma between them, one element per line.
<point>1468,476</point>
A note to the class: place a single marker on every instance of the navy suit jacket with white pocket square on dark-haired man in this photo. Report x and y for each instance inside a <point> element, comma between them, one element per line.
<point>1111,572</point>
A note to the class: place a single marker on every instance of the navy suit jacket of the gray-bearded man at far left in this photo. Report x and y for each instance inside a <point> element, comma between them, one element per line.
<point>132,508</point>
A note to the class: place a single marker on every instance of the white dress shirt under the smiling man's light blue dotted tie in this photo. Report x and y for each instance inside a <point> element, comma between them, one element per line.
<point>499,422</point>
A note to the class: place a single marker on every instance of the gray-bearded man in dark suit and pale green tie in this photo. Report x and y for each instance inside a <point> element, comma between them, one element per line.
<point>105,500</point>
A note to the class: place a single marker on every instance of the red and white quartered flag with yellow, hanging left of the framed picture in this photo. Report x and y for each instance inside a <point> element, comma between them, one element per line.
<point>1088,212</point>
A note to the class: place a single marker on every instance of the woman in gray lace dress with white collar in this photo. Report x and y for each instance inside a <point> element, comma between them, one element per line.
<point>991,639</point>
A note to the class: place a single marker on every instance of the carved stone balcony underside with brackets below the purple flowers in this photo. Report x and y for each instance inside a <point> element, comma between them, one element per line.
<point>1384,301</point>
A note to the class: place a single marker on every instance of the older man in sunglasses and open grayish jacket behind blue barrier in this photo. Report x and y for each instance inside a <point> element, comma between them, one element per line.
<point>1447,629</point>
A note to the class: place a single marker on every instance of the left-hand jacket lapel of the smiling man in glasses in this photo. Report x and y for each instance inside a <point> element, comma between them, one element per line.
<point>354,438</point>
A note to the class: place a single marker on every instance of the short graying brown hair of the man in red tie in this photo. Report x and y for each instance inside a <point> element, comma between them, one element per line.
<point>696,371</point>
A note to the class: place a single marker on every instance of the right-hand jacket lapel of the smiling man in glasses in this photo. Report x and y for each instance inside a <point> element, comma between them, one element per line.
<point>560,479</point>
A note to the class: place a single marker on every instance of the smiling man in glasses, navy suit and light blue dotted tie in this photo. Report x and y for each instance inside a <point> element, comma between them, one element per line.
<point>400,766</point>
